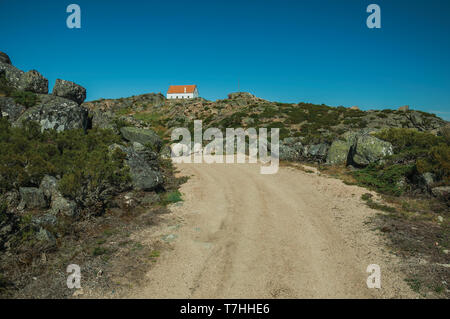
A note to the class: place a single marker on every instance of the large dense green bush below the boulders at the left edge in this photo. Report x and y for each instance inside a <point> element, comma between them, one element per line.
<point>82,160</point>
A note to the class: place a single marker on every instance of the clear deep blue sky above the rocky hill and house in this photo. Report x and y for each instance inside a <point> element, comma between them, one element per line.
<point>290,51</point>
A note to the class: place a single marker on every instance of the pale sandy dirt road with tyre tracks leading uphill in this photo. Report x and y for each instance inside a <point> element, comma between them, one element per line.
<point>293,234</point>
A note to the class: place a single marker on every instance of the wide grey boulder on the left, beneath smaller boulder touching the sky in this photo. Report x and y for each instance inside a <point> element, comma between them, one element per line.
<point>53,112</point>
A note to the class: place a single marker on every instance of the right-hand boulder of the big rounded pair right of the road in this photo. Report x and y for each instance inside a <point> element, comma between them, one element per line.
<point>370,149</point>
